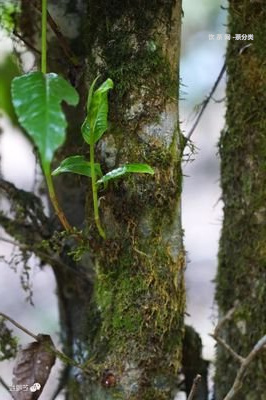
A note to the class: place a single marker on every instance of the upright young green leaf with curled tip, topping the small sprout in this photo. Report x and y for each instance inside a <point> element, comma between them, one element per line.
<point>95,123</point>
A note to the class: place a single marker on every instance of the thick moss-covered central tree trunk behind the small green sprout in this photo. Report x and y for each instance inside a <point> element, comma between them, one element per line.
<point>139,292</point>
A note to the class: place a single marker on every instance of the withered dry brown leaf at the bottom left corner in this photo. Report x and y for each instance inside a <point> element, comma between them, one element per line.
<point>31,371</point>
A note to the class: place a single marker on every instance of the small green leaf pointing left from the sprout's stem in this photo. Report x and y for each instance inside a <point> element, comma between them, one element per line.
<point>77,165</point>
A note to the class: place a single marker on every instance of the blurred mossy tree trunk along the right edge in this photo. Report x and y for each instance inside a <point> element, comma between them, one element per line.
<point>242,255</point>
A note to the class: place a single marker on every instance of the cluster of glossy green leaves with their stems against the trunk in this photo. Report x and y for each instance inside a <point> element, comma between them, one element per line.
<point>37,101</point>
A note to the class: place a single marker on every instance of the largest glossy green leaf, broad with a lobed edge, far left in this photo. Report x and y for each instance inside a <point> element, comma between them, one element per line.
<point>37,100</point>
